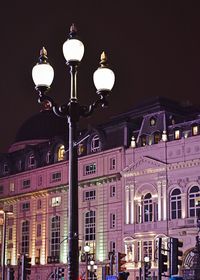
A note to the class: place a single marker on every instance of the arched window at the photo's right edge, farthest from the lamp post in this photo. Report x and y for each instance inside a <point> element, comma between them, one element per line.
<point>194,201</point>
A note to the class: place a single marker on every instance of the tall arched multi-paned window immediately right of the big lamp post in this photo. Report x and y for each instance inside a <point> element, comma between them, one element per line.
<point>90,221</point>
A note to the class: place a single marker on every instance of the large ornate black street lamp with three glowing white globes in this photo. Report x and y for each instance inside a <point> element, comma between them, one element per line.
<point>104,78</point>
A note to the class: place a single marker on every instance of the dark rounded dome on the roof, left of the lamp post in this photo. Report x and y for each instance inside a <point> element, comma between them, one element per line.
<point>43,125</point>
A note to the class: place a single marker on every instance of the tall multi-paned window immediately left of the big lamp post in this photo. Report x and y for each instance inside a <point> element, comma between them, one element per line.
<point>55,236</point>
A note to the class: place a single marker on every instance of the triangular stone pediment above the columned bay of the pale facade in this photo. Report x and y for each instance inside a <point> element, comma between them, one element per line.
<point>145,163</point>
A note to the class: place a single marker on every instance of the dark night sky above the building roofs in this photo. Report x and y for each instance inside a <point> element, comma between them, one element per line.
<point>153,48</point>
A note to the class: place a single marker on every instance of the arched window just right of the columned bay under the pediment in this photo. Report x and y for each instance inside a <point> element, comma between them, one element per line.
<point>175,204</point>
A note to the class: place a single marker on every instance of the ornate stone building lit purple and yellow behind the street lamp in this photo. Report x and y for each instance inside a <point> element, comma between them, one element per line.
<point>138,180</point>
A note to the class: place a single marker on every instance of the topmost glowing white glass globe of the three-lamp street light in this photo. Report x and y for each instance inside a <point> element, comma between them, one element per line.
<point>73,50</point>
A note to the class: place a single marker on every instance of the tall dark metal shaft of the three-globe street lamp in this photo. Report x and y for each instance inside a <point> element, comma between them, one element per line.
<point>73,256</point>
